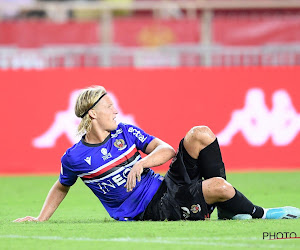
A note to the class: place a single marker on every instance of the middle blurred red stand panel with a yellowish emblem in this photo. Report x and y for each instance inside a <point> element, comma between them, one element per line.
<point>151,32</point>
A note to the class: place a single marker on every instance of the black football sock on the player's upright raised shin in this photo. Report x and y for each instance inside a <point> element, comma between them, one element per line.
<point>210,161</point>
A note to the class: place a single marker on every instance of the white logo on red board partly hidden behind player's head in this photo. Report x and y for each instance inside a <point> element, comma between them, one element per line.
<point>65,123</point>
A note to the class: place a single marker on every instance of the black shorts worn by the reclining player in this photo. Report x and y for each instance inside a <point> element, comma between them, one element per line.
<point>180,196</point>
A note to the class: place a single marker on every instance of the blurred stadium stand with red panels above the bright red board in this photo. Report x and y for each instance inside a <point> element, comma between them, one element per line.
<point>141,33</point>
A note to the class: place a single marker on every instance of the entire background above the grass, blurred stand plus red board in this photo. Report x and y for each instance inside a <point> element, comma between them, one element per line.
<point>230,64</point>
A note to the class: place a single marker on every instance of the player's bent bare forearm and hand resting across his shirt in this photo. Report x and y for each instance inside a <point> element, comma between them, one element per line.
<point>158,152</point>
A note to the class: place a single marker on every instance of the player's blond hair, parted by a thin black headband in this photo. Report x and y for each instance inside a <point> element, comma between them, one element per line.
<point>84,102</point>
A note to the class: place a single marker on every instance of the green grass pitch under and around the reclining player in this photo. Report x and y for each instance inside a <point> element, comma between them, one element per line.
<point>82,223</point>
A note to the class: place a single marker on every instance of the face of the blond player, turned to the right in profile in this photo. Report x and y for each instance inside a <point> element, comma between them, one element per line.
<point>106,114</point>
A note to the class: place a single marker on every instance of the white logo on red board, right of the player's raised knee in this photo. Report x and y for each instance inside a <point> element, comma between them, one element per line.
<point>257,123</point>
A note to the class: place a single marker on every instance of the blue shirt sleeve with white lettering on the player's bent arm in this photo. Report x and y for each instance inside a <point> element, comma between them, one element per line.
<point>139,136</point>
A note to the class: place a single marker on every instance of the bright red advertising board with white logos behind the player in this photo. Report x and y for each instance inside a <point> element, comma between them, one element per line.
<point>255,112</point>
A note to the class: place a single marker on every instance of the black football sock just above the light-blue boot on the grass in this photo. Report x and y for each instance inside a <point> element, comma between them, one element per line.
<point>239,204</point>
